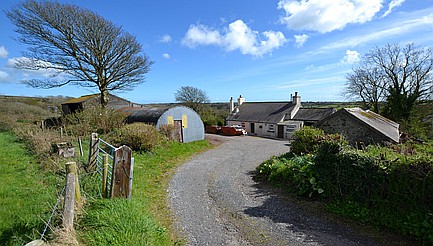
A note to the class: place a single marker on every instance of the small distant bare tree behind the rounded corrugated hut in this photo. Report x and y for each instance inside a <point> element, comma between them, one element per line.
<point>192,97</point>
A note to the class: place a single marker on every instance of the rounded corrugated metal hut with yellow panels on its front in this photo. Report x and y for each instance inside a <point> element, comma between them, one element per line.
<point>187,124</point>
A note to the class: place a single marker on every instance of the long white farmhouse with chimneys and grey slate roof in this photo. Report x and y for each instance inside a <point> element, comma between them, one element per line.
<point>274,119</point>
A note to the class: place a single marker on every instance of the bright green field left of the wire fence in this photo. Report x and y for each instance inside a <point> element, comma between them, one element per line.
<point>27,194</point>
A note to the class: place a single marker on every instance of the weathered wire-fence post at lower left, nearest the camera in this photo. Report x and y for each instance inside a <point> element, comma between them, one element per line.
<point>68,207</point>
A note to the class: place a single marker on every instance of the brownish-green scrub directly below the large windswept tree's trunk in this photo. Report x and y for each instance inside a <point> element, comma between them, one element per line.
<point>94,119</point>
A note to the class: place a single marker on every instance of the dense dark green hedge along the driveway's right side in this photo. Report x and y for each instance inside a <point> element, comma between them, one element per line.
<point>388,186</point>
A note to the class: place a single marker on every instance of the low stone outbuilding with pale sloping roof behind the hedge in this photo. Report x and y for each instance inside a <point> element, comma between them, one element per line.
<point>361,126</point>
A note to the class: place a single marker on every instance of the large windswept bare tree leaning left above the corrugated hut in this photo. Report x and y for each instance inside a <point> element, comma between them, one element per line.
<point>79,47</point>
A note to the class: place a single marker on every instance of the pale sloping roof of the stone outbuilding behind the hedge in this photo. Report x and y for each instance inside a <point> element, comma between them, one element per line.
<point>383,125</point>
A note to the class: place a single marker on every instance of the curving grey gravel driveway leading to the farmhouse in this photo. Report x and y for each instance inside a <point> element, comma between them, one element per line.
<point>215,202</point>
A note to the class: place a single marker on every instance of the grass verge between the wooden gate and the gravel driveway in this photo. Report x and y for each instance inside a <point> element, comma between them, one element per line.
<point>145,219</point>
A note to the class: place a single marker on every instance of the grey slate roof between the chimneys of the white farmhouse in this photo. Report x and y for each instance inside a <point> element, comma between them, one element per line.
<point>264,112</point>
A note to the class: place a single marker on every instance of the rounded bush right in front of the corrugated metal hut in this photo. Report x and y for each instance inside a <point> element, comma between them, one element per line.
<point>138,136</point>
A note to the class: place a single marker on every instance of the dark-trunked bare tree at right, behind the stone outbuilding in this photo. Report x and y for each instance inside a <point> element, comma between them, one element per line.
<point>405,74</point>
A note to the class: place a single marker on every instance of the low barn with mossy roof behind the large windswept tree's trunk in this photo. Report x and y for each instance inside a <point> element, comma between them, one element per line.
<point>76,104</point>
